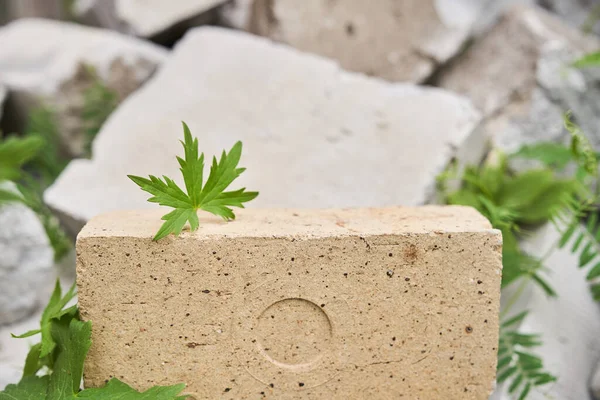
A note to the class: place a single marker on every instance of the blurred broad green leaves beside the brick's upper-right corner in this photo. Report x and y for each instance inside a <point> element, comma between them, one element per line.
<point>512,201</point>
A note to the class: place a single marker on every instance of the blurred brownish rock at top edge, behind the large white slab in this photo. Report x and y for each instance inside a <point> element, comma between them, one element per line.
<point>404,40</point>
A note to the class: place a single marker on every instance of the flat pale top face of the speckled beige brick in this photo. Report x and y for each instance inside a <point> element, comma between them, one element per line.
<point>313,223</point>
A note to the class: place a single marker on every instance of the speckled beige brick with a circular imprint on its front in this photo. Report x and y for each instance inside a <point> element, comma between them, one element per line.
<point>289,304</point>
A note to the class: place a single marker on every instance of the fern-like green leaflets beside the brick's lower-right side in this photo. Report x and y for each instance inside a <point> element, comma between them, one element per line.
<point>516,362</point>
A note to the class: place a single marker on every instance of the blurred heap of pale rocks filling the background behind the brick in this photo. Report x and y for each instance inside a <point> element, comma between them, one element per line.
<point>339,103</point>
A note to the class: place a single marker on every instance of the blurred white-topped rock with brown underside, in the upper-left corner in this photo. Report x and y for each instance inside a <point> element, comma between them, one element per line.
<point>47,62</point>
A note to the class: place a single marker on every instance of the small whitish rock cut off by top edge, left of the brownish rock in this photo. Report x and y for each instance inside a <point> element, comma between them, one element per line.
<point>149,18</point>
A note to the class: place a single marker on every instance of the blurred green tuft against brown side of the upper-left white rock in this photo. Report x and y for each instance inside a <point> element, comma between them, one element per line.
<point>99,102</point>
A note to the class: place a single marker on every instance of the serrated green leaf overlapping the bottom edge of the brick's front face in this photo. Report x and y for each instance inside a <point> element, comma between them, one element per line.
<point>117,390</point>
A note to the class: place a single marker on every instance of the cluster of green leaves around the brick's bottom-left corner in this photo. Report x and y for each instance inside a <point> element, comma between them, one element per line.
<point>62,350</point>
